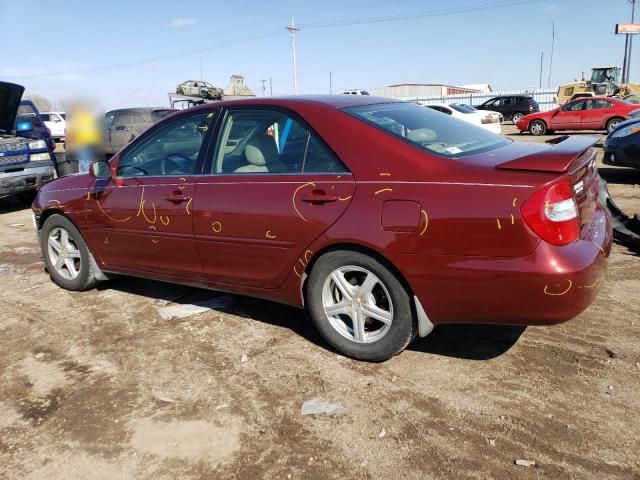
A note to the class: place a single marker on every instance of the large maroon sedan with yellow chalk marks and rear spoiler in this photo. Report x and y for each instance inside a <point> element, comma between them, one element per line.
<point>382,218</point>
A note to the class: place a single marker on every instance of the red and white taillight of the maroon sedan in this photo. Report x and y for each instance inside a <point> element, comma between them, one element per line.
<point>552,213</point>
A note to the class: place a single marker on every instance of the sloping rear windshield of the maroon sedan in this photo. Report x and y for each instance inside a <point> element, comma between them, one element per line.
<point>428,129</point>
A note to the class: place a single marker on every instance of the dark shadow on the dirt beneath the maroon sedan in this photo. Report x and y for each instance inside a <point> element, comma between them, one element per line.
<point>472,342</point>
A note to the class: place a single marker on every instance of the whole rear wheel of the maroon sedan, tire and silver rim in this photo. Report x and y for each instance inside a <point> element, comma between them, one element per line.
<point>359,306</point>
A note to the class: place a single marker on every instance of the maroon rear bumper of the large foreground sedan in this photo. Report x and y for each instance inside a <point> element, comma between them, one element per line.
<point>551,285</point>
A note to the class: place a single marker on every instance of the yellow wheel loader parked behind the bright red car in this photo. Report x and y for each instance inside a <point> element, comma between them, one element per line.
<point>605,81</point>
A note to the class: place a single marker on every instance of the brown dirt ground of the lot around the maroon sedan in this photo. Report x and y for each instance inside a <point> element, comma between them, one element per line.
<point>97,385</point>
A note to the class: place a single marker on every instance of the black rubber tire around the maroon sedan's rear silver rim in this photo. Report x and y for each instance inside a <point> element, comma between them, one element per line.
<point>403,325</point>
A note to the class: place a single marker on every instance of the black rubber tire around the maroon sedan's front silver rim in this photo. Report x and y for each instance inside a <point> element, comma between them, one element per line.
<point>86,278</point>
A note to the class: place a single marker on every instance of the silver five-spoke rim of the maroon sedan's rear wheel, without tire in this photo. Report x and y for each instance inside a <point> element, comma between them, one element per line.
<point>357,304</point>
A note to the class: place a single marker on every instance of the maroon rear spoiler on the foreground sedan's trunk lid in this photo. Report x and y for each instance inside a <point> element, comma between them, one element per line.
<point>562,152</point>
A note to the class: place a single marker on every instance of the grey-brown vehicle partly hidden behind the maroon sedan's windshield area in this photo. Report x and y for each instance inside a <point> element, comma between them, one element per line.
<point>122,126</point>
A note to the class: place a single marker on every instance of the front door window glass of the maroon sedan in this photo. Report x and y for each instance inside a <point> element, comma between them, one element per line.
<point>171,149</point>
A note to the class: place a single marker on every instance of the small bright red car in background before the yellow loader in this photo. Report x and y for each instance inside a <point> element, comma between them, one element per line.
<point>592,113</point>
